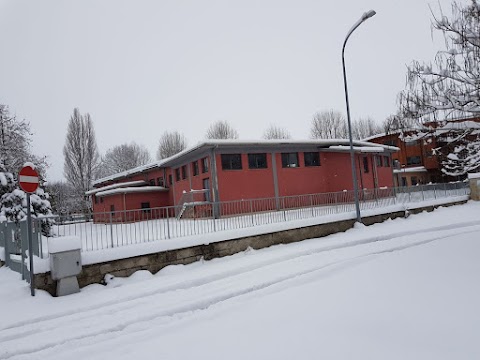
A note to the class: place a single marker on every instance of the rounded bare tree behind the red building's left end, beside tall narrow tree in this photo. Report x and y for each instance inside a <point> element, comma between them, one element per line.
<point>124,157</point>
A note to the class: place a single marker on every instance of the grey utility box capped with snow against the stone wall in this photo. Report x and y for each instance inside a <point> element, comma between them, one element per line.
<point>65,263</point>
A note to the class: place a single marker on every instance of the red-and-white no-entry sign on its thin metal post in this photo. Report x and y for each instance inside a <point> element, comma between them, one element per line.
<point>28,181</point>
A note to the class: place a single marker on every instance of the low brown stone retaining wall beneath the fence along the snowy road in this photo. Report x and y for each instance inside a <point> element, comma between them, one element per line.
<point>95,273</point>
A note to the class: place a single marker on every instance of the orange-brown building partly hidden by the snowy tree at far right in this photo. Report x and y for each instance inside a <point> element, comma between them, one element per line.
<point>422,149</point>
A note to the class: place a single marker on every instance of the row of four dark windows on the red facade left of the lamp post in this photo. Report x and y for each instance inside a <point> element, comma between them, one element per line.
<point>259,161</point>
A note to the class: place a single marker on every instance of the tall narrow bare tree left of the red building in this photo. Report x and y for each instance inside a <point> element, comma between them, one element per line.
<point>81,153</point>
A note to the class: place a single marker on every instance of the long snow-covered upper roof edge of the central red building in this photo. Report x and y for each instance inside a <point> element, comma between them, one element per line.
<point>323,143</point>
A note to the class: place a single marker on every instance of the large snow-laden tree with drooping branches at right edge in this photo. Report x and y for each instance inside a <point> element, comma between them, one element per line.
<point>450,87</point>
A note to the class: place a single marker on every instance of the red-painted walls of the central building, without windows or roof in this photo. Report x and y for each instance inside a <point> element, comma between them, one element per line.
<point>333,175</point>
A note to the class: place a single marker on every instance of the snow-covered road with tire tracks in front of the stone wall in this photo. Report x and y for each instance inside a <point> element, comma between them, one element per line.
<point>403,289</point>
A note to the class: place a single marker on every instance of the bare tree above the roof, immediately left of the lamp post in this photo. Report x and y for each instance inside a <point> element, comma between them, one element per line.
<point>329,124</point>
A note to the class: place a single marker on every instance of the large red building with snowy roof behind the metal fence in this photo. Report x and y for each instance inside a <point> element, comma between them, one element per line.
<point>232,170</point>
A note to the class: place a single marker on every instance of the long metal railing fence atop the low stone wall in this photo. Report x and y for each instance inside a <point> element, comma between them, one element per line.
<point>120,228</point>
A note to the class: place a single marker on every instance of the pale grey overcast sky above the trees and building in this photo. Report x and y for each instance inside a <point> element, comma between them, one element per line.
<point>141,67</point>
